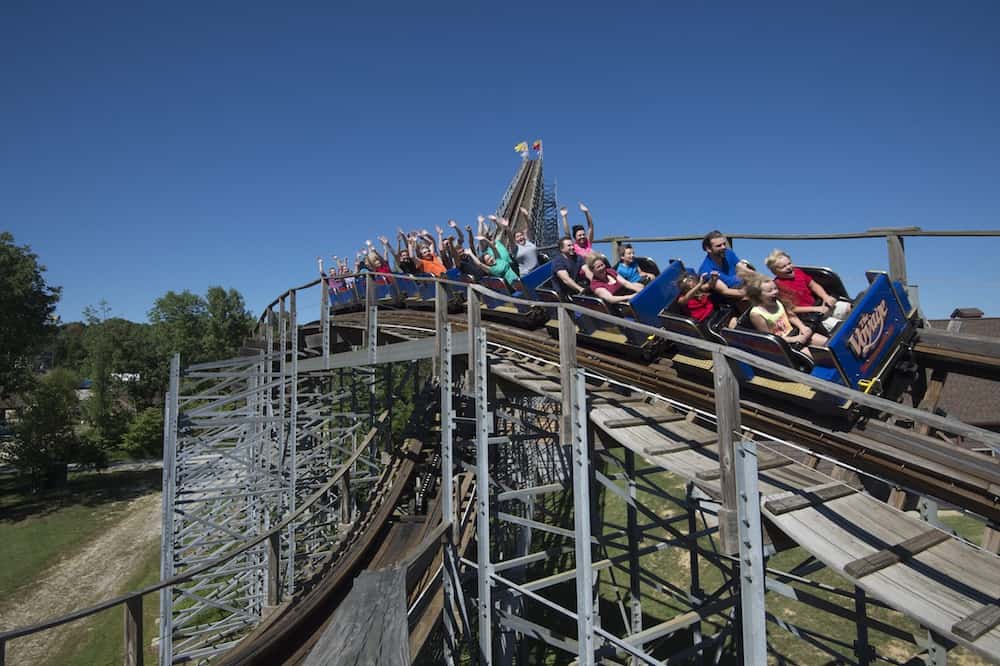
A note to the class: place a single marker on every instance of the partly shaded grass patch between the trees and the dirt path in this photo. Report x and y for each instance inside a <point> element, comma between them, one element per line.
<point>36,530</point>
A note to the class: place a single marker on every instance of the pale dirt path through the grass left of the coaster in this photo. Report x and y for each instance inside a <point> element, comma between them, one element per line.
<point>99,571</point>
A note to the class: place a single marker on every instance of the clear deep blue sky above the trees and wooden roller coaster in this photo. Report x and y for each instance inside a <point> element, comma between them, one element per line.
<point>156,146</point>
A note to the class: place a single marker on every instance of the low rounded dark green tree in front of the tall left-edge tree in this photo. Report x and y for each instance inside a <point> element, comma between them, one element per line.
<point>44,436</point>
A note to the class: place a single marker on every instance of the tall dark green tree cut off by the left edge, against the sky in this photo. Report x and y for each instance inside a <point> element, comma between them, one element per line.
<point>26,305</point>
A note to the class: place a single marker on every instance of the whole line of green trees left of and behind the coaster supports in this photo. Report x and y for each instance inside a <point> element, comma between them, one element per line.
<point>120,367</point>
